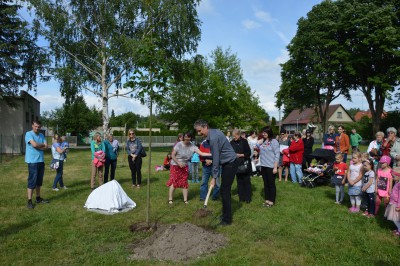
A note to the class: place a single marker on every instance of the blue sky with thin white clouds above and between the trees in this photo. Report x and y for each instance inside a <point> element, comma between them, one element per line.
<point>257,31</point>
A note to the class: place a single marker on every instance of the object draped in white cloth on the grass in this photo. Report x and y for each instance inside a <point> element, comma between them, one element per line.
<point>109,198</point>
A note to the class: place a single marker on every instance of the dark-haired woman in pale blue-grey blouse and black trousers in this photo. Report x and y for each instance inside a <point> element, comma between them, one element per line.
<point>269,159</point>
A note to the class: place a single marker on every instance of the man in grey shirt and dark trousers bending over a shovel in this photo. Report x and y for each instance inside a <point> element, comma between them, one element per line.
<point>222,155</point>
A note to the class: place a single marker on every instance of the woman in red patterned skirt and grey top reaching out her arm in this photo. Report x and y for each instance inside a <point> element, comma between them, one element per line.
<point>179,171</point>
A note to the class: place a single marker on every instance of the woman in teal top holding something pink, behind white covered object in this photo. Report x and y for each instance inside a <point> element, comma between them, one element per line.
<point>96,146</point>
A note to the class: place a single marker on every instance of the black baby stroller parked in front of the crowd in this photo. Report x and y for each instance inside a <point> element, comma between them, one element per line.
<point>321,173</point>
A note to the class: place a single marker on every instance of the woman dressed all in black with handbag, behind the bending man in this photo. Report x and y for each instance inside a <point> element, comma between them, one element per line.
<point>243,152</point>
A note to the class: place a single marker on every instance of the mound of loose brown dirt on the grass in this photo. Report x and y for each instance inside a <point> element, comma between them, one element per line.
<point>178,242</point>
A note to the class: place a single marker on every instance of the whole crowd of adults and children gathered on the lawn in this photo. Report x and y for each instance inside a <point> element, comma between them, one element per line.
<point>372,177</point>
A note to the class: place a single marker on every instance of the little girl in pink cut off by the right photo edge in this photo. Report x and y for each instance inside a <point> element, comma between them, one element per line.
<point>392,212</point>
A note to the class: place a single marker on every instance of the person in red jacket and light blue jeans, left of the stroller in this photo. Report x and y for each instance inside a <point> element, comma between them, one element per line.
<point>296,150</point>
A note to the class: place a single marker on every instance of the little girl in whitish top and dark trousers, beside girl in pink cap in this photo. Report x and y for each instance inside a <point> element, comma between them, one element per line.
<point>369,187</point>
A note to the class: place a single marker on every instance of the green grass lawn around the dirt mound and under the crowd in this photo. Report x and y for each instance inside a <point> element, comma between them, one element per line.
<point>304,228</point>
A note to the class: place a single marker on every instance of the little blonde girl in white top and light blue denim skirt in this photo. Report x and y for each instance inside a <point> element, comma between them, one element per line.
<point>354,176</point>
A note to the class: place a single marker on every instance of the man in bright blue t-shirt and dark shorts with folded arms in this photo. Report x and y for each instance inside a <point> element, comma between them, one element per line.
<point>34,157</point>
